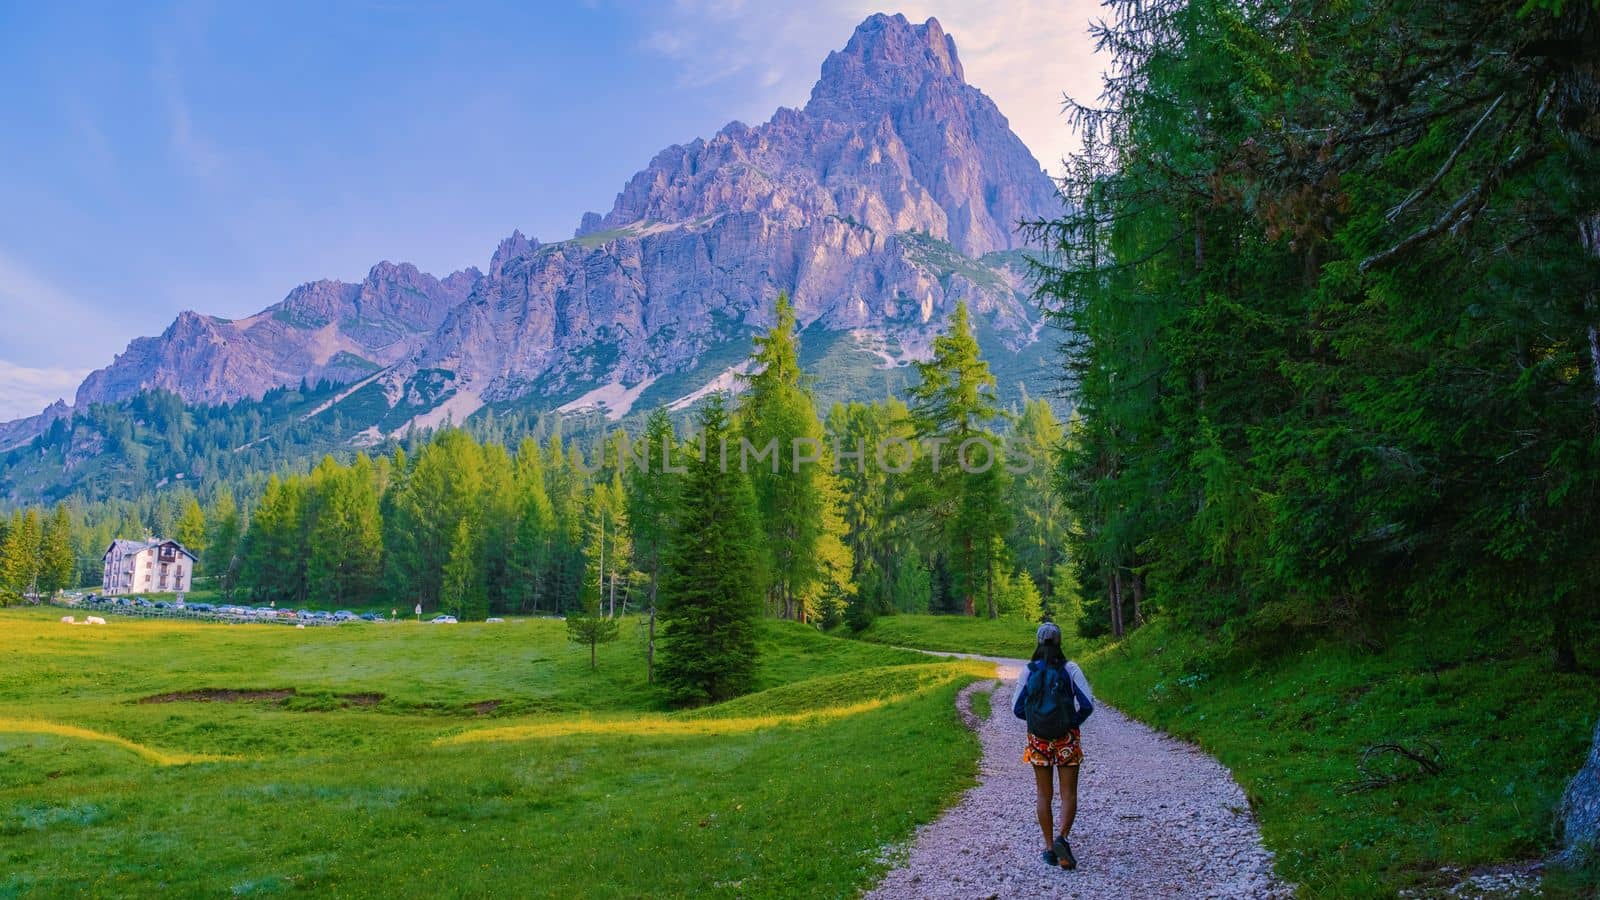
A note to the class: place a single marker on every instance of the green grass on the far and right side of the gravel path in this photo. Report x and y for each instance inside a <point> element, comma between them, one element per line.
<point>1294,726</point>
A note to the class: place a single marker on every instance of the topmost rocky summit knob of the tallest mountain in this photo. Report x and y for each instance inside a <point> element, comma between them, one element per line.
<point>887,62</point>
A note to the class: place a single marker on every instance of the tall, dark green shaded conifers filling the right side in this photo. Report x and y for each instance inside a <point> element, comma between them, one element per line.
<point>1332,316</point>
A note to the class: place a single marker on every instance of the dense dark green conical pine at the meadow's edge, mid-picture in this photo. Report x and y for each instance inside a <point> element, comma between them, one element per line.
<point>711,597</point>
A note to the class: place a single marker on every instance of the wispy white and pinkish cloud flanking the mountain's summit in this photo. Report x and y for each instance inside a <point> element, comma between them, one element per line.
<point>1028,55</point>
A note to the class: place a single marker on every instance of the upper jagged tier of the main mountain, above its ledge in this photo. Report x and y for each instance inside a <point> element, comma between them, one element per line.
<point>894,139</point>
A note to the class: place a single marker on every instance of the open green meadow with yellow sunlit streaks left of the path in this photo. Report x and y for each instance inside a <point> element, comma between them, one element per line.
<point>473,760</point>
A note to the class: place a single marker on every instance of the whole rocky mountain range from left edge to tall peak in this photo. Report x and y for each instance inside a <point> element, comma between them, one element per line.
<point>894,195</point>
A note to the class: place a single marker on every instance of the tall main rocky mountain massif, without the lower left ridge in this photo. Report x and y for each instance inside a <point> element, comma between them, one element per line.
<point>892,196</point>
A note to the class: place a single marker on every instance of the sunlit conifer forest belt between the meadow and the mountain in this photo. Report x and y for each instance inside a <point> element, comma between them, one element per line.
<point>881,508</point>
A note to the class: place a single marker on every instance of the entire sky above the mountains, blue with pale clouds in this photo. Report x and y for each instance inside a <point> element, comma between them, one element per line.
<point>214,156</point>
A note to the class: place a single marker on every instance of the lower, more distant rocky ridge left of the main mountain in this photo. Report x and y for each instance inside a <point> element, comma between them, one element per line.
<point>321,331</point>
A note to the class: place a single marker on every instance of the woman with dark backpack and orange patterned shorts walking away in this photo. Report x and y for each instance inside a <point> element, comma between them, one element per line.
<point>1055,699</point>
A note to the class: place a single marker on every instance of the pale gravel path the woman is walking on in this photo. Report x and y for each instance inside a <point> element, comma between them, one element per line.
<point>1158,818</point>
